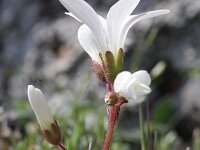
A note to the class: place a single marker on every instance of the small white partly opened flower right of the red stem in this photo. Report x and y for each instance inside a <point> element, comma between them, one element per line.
<point>133,86</point>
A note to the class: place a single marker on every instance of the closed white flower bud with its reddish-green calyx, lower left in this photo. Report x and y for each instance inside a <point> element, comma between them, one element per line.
<point>48,125</point>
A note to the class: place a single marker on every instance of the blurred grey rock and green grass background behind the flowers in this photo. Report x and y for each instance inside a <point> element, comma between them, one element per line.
<point>39,46</point>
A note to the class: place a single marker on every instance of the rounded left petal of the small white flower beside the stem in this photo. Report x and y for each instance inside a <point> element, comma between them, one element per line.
<point>120,82</point>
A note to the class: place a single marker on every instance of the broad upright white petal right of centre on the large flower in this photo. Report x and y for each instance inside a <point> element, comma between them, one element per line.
<point>116,18</point>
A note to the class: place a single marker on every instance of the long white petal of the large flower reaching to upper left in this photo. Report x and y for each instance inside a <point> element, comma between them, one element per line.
<point>84,12</point>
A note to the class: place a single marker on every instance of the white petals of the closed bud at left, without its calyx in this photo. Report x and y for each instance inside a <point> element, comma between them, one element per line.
<point>40,107</point>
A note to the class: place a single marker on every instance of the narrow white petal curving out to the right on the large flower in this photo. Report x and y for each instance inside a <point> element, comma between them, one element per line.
<point>136,18</point>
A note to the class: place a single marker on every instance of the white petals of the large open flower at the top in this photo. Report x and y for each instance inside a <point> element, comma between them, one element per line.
<point>99,35</point>
